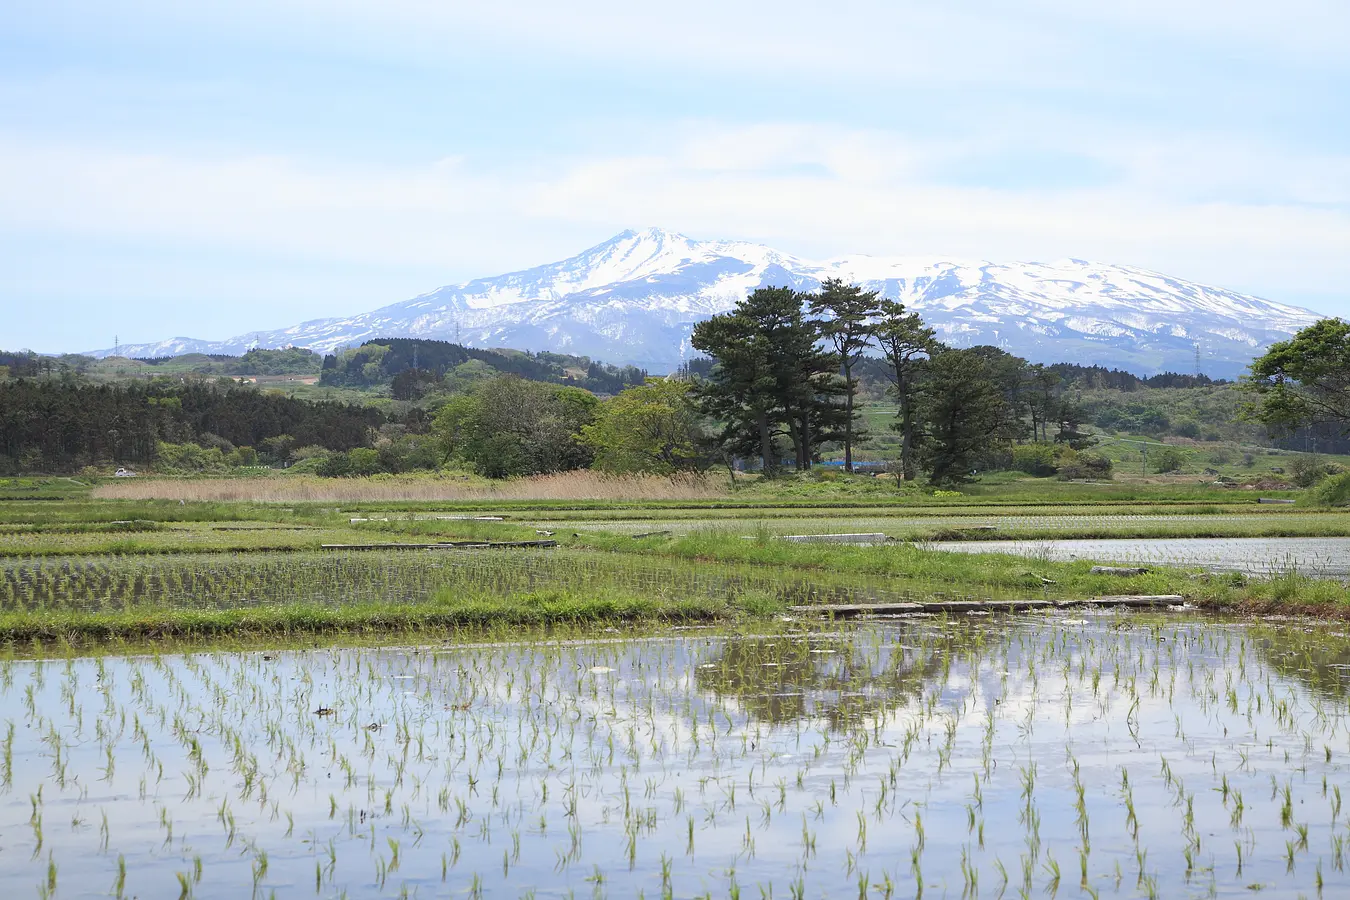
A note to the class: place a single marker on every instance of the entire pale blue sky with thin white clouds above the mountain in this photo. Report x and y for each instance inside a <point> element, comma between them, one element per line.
<point>209,169</point>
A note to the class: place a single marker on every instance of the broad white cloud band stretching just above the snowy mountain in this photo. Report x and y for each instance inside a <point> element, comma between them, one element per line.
<point>1175,207</point>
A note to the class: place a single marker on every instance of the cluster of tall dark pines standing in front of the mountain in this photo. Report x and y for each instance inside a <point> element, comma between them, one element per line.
<point>784,384</point>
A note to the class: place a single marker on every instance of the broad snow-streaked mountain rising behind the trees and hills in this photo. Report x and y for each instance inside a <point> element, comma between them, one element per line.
<point>637,298</point>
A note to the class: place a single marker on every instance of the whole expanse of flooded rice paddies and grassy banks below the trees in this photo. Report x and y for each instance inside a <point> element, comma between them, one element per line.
<point>632,690</point>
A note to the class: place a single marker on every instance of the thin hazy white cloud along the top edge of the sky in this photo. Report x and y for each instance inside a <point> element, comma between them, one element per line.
<point>1048,44</point>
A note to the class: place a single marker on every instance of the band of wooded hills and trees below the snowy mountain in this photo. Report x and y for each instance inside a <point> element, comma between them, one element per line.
<point>788,381</point>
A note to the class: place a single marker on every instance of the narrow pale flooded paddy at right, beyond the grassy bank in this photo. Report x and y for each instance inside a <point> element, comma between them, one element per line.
<point>1317,557</point>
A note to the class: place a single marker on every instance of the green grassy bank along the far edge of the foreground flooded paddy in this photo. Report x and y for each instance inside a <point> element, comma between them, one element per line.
<point>854,573</point>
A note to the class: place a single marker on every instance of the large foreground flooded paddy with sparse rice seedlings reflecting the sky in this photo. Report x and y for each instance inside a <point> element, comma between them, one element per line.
<point>1035,756</point>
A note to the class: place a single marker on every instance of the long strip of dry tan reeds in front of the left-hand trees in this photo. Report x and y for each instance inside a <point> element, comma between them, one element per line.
<point>303,489</point>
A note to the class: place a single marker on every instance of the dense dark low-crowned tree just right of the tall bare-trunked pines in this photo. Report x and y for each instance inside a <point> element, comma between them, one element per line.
<point>966,411</point>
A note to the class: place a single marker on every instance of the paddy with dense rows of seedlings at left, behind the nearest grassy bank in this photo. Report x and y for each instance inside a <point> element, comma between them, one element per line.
<point>237,581</point>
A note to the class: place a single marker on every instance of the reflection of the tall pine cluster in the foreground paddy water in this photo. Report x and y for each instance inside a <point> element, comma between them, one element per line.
<point>844,681</point>
